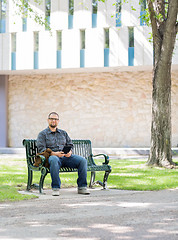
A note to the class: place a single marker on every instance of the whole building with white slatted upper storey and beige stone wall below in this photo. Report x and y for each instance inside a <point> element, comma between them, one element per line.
<point>94,68</point>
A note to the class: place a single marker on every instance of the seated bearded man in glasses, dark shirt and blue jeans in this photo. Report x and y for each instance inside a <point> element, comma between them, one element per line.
<point>56,139</point>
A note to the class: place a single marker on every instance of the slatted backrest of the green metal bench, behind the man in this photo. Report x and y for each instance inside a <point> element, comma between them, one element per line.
<point>81,147</point>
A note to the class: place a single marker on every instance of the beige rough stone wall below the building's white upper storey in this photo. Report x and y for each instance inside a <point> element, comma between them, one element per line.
<point>113,109</point>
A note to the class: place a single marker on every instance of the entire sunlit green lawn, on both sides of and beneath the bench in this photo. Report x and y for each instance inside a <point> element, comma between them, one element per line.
<point>127,174</point>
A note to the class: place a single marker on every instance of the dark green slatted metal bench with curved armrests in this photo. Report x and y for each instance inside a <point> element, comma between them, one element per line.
<point>81,147</point>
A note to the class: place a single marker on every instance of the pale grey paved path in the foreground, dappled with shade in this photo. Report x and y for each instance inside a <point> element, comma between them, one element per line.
<point>102,215</point>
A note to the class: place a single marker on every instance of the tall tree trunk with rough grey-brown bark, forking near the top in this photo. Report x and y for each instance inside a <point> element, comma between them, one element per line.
<point>164,35</point>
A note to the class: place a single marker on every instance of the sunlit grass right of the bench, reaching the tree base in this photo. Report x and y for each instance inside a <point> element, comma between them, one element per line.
<point>135,175</point>
